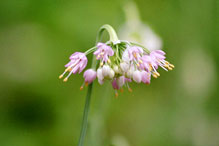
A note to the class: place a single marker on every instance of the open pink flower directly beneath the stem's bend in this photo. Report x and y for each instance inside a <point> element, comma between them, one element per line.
<point>103,52</point>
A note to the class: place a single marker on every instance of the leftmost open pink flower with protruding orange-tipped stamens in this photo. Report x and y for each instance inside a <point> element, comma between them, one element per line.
<point>78,61</point>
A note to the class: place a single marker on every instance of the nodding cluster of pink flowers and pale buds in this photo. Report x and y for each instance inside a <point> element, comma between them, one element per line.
<point>120,62</point>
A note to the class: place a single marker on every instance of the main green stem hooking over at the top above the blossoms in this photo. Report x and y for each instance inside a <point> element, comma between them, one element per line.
<point>113,37</point>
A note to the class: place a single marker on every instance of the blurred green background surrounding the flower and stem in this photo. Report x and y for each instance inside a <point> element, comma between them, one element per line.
<point>37,109</point>
